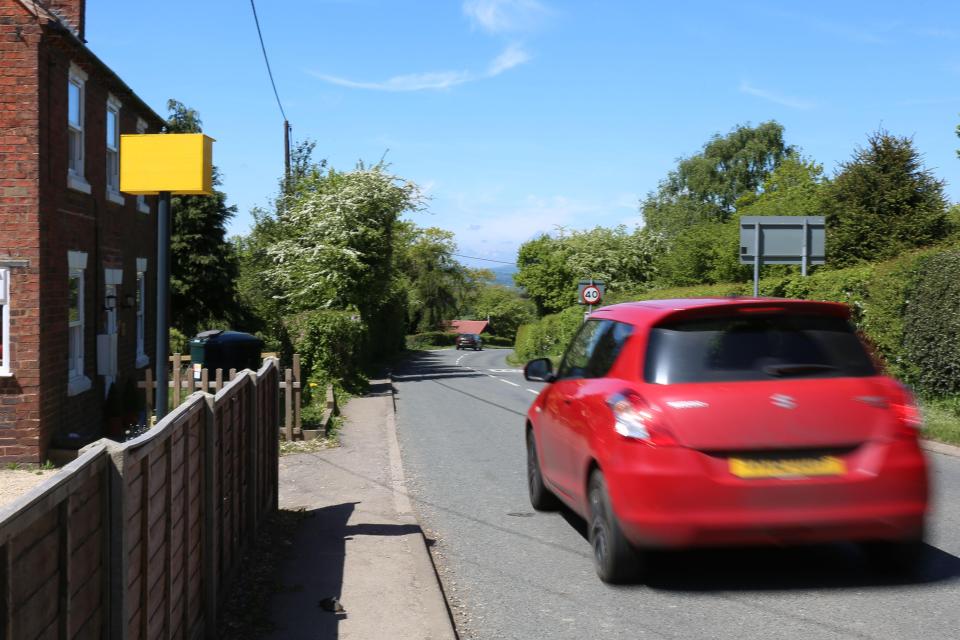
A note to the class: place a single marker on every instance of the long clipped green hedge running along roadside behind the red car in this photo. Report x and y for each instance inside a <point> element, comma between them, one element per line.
<point>906,309</point>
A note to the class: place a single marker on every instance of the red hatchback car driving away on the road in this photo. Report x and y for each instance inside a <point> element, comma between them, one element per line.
<point>708,422</point>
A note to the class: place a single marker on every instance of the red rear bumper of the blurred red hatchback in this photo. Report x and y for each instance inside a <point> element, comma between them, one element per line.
<point>675,497</point>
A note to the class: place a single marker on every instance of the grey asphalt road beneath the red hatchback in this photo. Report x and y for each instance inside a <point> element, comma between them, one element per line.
<point>511,573</point>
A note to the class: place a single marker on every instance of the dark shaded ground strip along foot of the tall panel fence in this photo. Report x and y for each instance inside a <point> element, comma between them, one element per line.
<point>246,609</point>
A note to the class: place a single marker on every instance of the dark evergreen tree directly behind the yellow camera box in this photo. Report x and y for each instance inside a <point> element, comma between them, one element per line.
<point>204,267</point>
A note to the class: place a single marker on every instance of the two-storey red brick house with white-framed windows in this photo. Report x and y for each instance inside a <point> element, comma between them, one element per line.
<point>76,311</point>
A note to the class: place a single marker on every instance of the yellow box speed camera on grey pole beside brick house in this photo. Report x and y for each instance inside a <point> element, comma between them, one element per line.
<point>161,165</point>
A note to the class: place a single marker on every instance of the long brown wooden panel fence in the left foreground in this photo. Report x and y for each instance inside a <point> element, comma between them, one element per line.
<point>141,539</point>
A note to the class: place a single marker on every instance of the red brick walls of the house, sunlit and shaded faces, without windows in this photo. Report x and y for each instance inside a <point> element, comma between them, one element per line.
<point>41,219</point>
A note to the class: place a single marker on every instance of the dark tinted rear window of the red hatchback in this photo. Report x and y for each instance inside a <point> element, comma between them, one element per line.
<point>756,347</point>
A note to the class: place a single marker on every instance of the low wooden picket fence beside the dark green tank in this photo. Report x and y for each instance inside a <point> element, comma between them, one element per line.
<point>182,382</point>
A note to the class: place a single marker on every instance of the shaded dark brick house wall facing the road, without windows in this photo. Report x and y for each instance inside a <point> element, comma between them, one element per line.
<point>112,235</point>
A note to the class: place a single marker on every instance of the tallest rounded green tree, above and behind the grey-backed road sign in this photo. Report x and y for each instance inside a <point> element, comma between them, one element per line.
<point>706,187</point>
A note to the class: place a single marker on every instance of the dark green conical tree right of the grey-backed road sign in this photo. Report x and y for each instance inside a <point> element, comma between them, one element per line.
<point>882,202</point>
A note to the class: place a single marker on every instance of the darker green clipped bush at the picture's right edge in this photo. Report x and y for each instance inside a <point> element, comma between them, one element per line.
<point>932,321</point>
